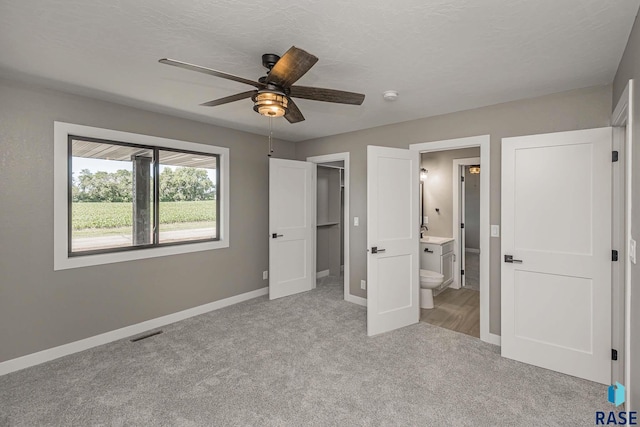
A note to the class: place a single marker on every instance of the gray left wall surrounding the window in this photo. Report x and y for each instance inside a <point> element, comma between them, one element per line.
<point>40,308</point>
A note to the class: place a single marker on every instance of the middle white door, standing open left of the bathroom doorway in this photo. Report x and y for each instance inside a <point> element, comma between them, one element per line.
<point>393,230</point>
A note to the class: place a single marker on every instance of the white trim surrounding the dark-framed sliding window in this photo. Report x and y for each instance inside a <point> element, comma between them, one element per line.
<point>61,258</point>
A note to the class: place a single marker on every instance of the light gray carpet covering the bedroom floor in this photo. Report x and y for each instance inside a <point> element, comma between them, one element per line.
<point>303,360</point>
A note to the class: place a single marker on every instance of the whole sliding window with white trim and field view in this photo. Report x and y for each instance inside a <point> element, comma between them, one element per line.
<point>121,196</point>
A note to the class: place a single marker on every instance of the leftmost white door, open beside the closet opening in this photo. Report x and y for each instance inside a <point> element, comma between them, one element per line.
<point>291,227</point>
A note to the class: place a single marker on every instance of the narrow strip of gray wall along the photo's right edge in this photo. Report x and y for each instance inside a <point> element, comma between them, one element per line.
<point>630,69</point>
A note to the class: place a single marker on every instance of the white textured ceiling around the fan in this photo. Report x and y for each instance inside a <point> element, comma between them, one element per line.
<point>440,55</point>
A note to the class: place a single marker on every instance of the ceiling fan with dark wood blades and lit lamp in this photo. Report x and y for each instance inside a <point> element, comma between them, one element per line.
<point>273,93</point>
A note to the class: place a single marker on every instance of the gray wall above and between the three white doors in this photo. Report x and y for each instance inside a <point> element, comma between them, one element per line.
<point>578,109</point>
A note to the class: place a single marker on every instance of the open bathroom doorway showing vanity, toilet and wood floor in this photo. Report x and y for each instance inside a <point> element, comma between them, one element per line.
<point>450,227</point>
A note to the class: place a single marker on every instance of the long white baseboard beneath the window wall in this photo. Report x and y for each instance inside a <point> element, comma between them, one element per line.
<point>107,337</point>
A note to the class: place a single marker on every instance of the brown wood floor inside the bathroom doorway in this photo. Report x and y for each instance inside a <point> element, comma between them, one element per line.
<point>455,309</point>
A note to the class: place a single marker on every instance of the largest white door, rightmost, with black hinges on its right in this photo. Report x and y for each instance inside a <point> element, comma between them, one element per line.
<point>556,224</point>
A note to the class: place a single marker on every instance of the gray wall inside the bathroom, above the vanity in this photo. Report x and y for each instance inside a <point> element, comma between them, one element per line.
<point>438,188</point>
